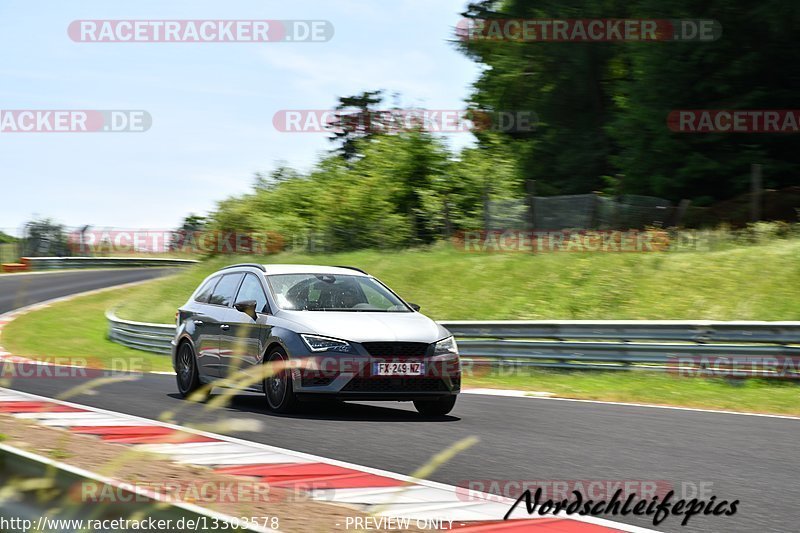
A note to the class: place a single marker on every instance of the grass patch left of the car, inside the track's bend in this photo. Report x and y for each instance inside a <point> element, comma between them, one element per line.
<point>75,331</point>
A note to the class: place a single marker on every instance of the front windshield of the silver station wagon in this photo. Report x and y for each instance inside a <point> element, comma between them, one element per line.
<point>333,292</point>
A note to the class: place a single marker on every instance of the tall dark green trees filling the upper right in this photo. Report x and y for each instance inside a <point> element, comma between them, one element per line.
<point>603,107</point>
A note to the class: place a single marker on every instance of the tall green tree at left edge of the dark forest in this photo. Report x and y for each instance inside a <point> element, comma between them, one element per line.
<point>567,85</point>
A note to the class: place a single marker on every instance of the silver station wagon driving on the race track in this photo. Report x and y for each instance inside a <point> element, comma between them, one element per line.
<point>297,332</point>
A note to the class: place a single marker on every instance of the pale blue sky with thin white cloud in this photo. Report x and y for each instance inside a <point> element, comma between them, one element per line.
<point>211,104</point>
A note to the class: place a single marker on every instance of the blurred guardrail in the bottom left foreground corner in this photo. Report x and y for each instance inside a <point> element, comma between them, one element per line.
<point>37,487</point>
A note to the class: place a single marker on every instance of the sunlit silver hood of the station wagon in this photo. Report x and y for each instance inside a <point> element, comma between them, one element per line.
<point>366,326</point>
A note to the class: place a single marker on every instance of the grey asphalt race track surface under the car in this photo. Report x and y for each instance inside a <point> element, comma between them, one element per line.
<point>750,458</point>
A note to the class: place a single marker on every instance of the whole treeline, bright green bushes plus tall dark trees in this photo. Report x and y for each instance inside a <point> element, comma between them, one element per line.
<point>602,125</point>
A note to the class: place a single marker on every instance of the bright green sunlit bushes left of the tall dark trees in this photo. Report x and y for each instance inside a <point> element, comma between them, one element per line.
<point>402,189</point>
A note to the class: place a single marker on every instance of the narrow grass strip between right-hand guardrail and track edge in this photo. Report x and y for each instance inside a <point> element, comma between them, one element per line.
<point>749,395</point>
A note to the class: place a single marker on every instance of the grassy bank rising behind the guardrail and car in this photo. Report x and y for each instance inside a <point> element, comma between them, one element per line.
<point>743,283</point>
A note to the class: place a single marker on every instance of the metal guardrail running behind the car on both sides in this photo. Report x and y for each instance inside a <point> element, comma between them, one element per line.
<point>578,344</point>
